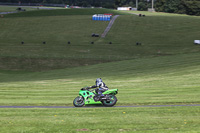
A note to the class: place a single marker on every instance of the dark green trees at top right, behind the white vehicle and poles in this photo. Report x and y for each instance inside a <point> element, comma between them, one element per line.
<point>190,7</point>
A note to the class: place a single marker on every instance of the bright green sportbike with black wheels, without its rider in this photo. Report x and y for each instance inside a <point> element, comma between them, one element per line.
<point>90,96</point>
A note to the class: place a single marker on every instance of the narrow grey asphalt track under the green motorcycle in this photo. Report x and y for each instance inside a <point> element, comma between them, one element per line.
<point>101,106</point>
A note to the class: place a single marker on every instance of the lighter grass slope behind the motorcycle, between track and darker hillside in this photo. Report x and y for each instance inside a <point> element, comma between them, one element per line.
<point>159,81</point>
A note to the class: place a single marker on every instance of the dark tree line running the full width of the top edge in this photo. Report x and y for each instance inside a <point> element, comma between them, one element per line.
<point>191,7</point>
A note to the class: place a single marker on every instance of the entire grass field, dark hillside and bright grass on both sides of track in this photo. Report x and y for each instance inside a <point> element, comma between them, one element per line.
<point>164,70</point>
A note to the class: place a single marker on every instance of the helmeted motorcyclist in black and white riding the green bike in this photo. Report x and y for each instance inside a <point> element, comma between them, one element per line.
<point>102,87</point>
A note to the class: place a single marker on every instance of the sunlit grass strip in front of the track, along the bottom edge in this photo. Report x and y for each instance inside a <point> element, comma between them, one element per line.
<point>112,120</point>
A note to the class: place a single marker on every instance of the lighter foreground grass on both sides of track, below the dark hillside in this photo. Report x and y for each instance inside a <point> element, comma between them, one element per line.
<point>148,81</point>
